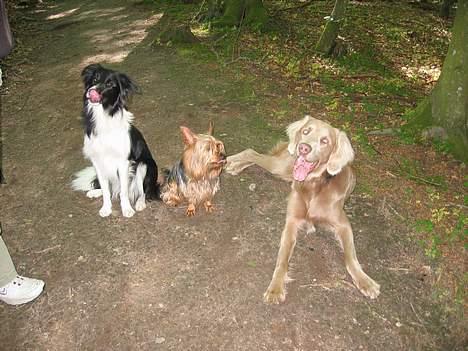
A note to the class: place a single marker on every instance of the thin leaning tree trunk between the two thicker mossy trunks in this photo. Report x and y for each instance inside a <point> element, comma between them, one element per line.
<point>327,41</point>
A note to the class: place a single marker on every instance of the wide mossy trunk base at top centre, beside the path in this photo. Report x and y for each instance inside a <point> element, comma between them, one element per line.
<point>249,12</point>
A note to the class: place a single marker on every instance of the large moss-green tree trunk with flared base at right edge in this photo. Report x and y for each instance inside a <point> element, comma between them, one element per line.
<point>447,105</point>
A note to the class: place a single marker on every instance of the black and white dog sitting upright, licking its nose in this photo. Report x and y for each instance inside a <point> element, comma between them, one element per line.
<point>122,162</point>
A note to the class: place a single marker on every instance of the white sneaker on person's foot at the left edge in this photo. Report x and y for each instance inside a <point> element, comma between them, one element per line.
<point>21,290</point>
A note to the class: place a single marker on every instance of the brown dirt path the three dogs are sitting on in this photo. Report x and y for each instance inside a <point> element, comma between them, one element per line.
<point>160,281</point>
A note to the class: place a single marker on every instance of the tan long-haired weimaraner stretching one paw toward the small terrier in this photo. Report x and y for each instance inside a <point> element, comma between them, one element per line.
<point>317,161</point>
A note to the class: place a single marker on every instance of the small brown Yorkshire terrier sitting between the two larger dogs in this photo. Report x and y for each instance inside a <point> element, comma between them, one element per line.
<point>195,177</point>
